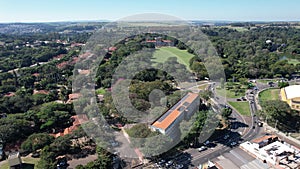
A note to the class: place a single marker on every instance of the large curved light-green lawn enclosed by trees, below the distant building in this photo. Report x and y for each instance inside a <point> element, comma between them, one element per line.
<point>162,54</point>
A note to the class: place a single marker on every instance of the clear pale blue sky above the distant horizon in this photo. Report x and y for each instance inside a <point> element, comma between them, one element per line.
<point>71,10</point>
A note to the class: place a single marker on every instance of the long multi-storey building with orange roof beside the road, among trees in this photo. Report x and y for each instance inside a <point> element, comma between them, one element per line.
<point>168,122</point>
